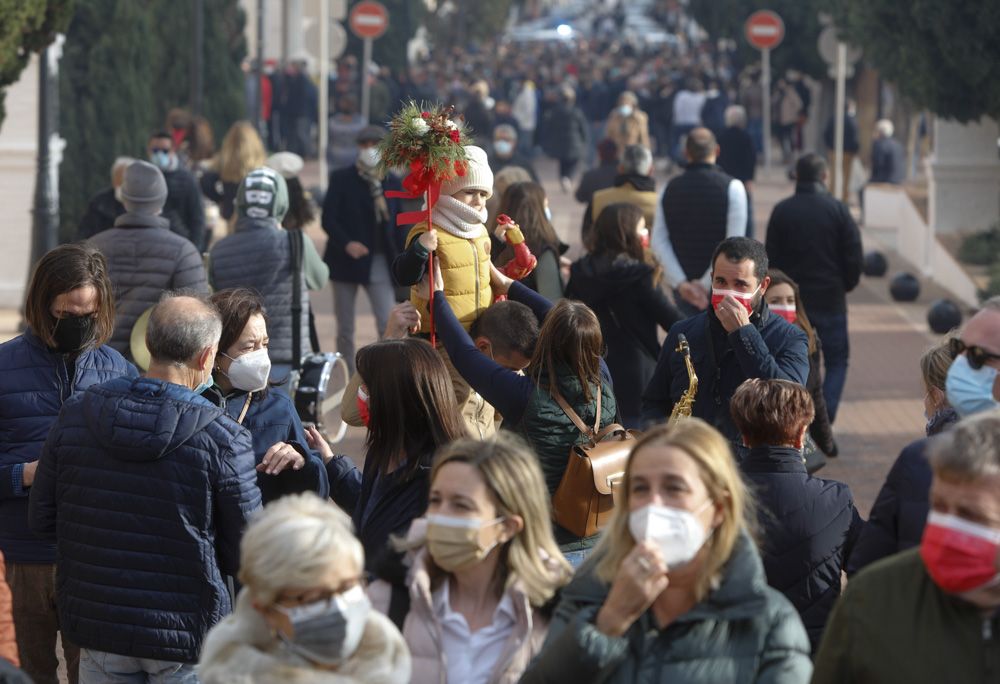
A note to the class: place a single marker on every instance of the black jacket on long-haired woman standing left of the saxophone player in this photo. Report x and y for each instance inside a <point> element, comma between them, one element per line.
<point>629,306</point>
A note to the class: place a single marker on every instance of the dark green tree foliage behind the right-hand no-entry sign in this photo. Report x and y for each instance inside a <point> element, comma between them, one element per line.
<point>725,19</point>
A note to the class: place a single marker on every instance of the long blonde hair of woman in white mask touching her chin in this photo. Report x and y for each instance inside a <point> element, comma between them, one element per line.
<point>711,453</point>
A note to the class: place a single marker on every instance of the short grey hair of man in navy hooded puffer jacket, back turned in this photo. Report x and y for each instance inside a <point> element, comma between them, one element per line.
<point>181,326</point>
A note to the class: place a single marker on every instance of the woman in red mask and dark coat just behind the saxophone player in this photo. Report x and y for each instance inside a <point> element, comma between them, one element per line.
<point>783,299</point>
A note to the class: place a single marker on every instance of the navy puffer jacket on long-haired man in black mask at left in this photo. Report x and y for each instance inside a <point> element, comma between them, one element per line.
<point>36,381</point>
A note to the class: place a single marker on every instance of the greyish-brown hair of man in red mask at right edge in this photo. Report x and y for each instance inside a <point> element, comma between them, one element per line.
<point>970,450</point>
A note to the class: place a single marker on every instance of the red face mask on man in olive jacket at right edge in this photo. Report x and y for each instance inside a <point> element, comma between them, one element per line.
<point>960,556</point>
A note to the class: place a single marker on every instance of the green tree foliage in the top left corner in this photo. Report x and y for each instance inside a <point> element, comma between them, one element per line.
<point>27,27</point>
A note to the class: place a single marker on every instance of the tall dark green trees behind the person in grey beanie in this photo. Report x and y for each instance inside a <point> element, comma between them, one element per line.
<point>125,64</point>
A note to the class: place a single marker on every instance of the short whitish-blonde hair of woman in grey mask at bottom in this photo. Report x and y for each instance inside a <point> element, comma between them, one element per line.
<point>293,543</point>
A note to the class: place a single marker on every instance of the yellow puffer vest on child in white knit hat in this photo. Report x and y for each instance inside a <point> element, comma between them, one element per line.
<point>465,269</point>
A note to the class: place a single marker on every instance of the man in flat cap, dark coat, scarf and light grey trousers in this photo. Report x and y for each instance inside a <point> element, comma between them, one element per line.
<point>363,238</point>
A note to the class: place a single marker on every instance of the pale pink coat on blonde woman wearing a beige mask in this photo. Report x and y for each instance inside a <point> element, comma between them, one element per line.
<point>422,629</point>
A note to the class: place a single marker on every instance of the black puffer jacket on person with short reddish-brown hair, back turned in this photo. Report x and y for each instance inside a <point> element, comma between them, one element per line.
<point>810,526</point>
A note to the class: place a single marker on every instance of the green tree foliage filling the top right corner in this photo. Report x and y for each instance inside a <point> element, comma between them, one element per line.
<point>941,55</point>
